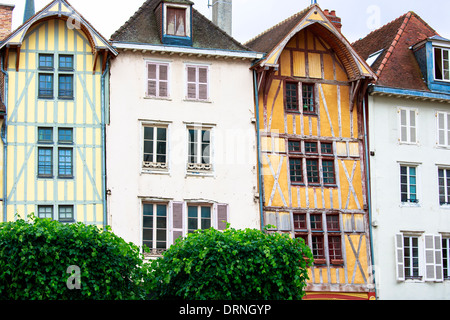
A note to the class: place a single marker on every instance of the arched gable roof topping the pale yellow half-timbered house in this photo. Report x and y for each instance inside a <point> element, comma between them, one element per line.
<point>59,9</point>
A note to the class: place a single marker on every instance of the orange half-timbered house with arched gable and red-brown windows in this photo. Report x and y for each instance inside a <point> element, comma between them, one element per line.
<point>310,87</point>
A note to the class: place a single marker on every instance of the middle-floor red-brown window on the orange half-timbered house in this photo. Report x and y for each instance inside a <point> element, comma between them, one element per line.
<point>311,162</point>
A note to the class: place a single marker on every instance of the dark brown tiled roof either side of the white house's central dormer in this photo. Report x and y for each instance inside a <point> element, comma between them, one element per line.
<point>142,28</point>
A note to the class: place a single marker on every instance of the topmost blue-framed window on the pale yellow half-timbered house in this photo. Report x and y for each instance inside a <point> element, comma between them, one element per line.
<point>48,74</point>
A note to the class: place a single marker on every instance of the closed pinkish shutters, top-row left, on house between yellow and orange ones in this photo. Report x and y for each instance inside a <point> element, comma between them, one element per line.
<point>157,80</point>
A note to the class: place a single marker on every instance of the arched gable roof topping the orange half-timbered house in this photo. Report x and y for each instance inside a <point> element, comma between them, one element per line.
<point>276,38</point>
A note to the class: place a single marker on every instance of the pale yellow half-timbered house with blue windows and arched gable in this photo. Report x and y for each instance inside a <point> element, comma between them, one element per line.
<point>56,95</point>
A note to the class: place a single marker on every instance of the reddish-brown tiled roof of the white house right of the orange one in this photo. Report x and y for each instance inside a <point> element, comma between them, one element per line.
<point>396,65</point>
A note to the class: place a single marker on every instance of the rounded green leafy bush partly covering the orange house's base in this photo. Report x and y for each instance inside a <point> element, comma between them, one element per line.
<point>233,265</point>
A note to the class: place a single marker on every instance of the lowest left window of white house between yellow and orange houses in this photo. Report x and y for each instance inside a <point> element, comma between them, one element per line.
<point>154,226</point>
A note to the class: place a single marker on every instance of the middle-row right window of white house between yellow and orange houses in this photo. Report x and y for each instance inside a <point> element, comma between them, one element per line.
<point>199,149</point>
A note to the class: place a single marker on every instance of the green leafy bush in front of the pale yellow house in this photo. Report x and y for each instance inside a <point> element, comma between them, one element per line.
<point>35,259</point>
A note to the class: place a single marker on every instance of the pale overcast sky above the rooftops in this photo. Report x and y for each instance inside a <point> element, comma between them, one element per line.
<point>251,17</point>
